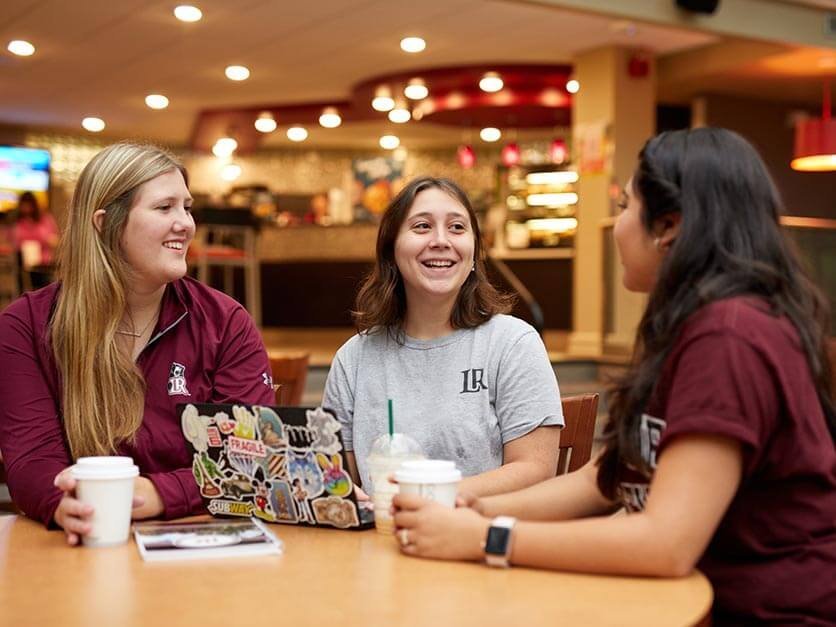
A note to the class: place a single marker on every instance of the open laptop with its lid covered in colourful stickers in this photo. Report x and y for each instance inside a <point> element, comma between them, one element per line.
<point>278,464</point>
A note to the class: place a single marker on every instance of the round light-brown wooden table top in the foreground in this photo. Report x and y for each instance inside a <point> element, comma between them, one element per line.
<point>328,578</point>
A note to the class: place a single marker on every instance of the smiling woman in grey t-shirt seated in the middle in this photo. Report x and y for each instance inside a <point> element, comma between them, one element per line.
<point>468,382</point>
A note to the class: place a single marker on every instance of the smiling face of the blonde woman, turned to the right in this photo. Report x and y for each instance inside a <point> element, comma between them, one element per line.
<point>158,232</point>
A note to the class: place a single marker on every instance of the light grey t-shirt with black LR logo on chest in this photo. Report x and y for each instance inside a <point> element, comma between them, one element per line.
<point>461,396</point>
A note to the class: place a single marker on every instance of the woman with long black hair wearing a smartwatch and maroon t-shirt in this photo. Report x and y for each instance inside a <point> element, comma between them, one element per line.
<point>720,441</point>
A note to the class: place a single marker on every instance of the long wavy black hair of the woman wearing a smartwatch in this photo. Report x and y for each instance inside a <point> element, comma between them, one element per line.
<point>730,243</point>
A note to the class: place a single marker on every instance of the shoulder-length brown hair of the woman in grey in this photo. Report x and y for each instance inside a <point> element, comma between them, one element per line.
<point>381,301</point>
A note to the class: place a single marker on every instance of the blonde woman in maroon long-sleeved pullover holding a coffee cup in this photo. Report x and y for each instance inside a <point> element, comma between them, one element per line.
<point>96,363</point>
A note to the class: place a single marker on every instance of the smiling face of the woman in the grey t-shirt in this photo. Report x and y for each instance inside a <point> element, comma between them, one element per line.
<point>434,250</point>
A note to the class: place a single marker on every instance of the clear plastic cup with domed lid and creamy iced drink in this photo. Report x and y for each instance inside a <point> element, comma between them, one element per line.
<point>385,458</point>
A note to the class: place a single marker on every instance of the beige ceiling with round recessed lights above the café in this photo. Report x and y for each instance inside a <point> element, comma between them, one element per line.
<point>103,56</point>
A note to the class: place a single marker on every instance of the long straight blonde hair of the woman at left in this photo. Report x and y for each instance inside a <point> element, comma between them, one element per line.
<point>103,395</point>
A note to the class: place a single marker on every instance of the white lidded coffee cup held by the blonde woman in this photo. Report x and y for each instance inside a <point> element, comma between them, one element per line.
<point>106,484</point>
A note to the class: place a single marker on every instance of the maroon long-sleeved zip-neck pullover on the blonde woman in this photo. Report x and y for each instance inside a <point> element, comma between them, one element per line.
<point>205,348</point>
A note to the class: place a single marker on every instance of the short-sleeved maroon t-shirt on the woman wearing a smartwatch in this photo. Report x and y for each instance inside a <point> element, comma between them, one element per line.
<point>738,371</point>
